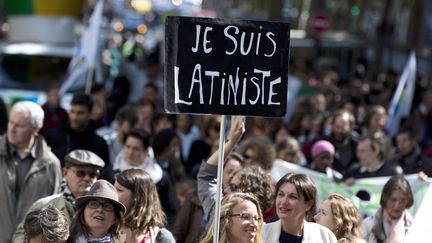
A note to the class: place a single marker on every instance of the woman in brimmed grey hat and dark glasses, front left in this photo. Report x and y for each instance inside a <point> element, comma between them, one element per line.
<point>99,215</point>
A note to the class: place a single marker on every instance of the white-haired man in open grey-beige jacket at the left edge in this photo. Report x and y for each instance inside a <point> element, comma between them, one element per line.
<point>28,169</point>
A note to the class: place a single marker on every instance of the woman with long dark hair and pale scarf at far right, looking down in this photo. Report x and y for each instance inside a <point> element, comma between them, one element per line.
<point>392,221</point>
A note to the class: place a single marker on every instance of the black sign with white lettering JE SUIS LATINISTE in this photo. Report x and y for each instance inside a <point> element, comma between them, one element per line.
<point>228,67</point>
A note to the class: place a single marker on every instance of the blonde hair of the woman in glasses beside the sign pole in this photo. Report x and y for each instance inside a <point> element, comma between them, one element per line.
<point>227,205</point>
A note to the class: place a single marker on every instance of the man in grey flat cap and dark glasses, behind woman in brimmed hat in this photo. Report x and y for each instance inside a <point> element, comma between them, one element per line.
<point>82,167</point>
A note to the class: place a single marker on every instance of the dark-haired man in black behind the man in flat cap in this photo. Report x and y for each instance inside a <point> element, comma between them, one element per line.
<point>79,133</point>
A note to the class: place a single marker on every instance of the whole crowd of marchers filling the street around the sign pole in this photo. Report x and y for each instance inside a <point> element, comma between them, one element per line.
<point>119,171</point>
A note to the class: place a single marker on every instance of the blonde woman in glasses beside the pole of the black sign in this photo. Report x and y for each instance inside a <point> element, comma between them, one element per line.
<point>240,220</point>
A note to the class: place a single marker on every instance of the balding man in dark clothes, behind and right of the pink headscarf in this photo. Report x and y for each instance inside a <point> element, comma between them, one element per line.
<point>344,139</point>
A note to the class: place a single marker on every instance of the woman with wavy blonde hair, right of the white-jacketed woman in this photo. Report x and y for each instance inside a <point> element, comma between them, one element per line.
<point>341,216</point>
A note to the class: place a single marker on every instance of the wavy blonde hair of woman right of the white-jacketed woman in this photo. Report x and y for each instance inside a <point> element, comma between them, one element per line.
<point>346,217</point>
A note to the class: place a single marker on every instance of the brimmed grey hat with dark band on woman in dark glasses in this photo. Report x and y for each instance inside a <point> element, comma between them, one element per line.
<point>101,189</point>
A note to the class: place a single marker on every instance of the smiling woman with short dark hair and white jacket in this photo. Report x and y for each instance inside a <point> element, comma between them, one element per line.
<point>295,203</point>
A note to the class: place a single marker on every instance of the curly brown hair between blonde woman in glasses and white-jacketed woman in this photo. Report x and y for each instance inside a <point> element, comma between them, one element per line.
<point>254,180</point>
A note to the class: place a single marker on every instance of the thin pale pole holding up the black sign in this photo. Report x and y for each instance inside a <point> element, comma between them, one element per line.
<point>219,179</point>
